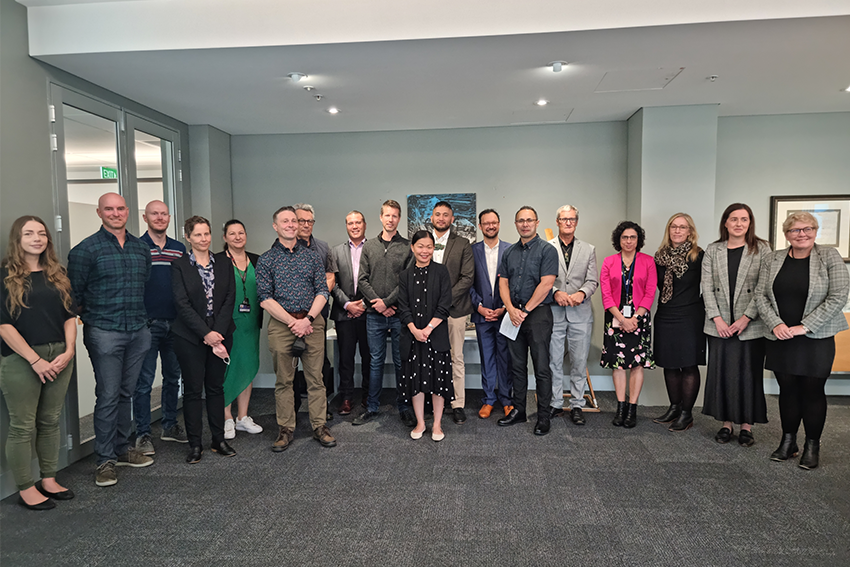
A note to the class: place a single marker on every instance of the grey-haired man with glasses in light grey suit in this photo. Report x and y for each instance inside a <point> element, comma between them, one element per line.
<point>572,315</point>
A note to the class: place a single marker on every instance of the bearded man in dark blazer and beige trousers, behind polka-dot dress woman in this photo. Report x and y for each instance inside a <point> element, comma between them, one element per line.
<point>455,253</point>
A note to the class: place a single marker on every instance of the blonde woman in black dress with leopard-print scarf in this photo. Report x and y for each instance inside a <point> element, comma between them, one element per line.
<point>679,340</point>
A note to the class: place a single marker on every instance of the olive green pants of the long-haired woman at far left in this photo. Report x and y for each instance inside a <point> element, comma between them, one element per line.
<point>33,407</point>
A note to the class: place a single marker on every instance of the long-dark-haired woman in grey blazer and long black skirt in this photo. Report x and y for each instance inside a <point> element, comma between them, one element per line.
<point>734,382</point>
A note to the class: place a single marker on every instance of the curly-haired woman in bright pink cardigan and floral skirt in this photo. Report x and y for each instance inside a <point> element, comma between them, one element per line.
<point>628,281</point>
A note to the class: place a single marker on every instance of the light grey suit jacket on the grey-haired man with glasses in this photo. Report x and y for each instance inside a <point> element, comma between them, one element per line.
<point>582,276</point>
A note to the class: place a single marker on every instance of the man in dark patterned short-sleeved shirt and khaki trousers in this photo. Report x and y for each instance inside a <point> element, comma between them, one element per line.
<point>291,286</point>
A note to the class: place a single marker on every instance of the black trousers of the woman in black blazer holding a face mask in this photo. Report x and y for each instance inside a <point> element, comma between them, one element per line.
<point>202,372</point>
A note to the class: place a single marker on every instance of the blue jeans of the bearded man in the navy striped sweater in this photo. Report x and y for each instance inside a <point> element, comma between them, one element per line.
<point>162,343</point>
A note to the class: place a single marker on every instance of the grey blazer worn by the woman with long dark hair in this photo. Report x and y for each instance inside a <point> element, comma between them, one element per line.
<point>715,289</point>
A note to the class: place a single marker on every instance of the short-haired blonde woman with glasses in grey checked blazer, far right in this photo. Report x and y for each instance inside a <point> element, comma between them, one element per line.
<point>801,294</point>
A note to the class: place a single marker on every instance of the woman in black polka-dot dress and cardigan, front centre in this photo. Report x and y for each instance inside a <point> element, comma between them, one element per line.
<point>424,300</point>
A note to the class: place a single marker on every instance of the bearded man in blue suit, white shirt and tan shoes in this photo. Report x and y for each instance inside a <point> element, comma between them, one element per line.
<point>487,314</point>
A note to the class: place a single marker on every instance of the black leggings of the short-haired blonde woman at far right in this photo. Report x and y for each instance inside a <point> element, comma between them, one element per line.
<point>802,398</point>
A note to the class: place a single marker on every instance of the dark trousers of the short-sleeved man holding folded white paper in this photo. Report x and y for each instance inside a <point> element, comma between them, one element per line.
<point>533,336</point>
